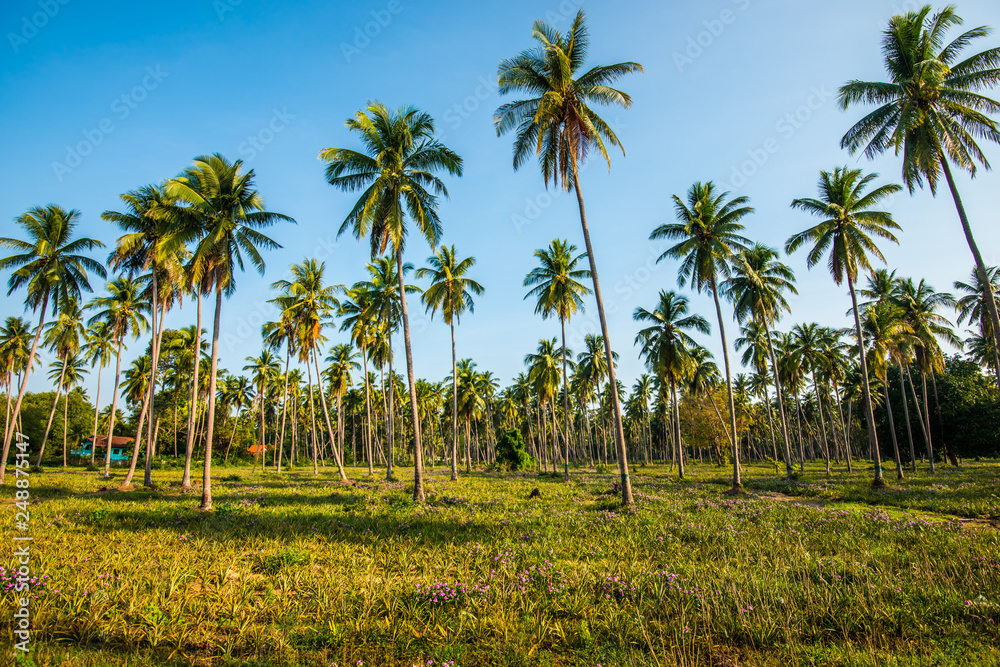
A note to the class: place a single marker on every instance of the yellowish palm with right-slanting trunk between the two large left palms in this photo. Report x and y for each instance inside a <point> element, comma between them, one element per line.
<point>311,303</point>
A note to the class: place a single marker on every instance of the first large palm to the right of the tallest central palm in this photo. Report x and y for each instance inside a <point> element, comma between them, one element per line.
<point>708,235</point>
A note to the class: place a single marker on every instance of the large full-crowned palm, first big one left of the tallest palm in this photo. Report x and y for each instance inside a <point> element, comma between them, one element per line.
<point>396,170</point>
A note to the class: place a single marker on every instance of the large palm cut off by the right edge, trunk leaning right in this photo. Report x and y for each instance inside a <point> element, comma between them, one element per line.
<point>931,110</point>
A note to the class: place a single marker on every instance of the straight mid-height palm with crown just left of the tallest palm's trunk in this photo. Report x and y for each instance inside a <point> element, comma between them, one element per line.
<point>558,291</point>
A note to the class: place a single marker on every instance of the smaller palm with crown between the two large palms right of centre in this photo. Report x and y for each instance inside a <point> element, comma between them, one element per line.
<point>757,289</point>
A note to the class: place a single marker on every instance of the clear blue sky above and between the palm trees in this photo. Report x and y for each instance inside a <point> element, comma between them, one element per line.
<point>102,97</point>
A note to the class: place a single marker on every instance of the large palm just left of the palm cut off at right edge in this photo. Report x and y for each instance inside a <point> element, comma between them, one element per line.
<point>849,222</point>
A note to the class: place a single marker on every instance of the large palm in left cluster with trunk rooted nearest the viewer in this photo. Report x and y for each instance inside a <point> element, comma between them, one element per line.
<point>228,213</point>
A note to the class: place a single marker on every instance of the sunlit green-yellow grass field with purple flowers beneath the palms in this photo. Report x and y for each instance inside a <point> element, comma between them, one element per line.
<point>303,570</point>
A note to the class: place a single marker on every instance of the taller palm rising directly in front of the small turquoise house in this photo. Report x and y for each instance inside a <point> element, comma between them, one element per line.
<point>123,311</point>
